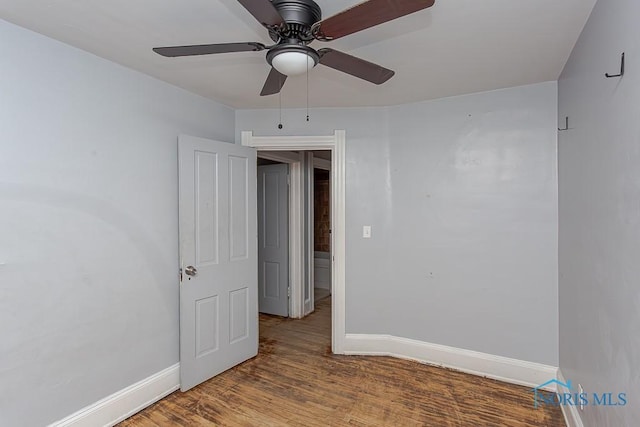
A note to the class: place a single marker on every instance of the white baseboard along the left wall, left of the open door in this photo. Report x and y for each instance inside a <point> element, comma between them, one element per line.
<point>126,402</point>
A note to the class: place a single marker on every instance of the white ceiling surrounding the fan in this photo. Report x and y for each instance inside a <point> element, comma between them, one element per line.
<point>455,47</point>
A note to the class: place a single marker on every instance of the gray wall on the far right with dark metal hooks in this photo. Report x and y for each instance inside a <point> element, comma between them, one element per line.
<point>600,213</point>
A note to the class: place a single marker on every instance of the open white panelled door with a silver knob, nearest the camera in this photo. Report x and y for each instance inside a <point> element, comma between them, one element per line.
<point>218,251</point>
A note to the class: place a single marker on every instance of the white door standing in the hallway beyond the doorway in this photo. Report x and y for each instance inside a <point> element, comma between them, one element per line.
<point>273,239</point>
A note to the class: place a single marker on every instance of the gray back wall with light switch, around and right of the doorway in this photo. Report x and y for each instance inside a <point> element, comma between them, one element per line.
<point>461,194</point>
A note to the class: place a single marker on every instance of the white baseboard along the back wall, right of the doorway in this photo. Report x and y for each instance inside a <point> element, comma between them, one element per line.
<point>499,368</point>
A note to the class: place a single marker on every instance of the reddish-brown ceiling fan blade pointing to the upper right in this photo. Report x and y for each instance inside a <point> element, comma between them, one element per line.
<point>365,15</point>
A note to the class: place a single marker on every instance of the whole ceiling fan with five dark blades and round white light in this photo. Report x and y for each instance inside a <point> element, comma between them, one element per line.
<point>293,24</point>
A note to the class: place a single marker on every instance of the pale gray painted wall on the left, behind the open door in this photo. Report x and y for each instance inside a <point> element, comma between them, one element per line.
<point>88,224</point>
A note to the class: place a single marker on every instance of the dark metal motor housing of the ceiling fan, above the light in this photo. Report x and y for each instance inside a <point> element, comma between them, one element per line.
<point>299,16</point>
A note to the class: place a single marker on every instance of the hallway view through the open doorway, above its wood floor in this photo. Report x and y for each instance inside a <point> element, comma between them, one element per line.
<point>285,269</point>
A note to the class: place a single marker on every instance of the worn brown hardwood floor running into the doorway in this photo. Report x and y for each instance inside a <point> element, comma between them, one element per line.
<point>296,381</point>
